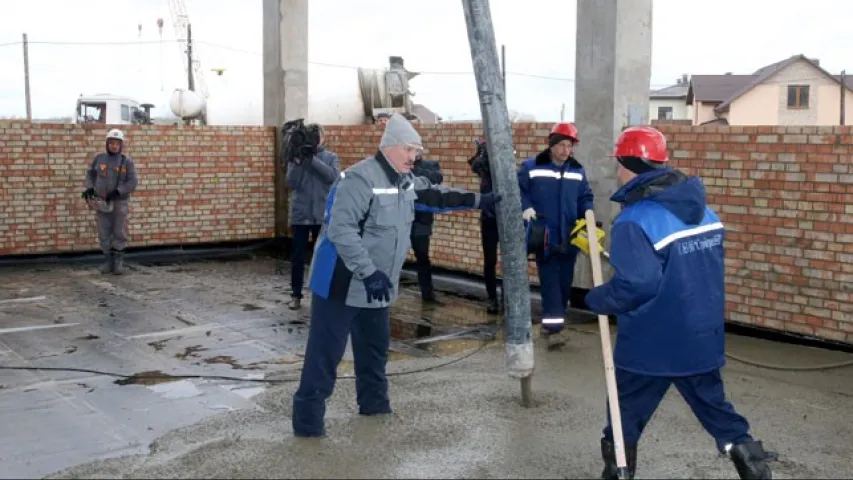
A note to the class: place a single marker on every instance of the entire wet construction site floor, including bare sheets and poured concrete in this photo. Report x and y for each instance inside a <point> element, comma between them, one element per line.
<point>462,420</point>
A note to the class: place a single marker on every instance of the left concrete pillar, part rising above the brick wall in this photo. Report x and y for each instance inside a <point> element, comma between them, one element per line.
<point>285,37</point>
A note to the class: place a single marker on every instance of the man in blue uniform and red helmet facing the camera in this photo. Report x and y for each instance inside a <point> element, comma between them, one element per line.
<point>554,189</point>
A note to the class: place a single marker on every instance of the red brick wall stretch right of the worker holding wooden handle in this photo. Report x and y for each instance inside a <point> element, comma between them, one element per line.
<point>786,197</point>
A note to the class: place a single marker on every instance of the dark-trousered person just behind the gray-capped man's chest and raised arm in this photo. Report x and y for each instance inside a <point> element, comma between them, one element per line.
<point>422,229</point>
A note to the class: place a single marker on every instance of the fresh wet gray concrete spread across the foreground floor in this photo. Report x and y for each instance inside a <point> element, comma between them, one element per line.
<point>464,421</point>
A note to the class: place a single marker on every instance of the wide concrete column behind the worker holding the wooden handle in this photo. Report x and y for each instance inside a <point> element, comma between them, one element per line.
<point>612,80</point>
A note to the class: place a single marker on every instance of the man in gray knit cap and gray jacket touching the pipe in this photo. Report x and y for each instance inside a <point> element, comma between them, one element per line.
<point>356,271</point>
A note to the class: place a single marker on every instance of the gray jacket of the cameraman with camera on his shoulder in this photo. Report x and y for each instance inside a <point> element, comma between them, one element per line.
<point>310,183</point>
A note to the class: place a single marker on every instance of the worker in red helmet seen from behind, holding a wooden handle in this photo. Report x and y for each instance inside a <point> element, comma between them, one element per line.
<point>668,291</point>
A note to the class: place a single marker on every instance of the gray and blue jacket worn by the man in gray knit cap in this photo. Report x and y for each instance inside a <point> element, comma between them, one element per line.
<point>371,214</point>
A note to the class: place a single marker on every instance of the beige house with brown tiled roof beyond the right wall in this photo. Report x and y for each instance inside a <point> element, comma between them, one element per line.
<point>795,91</point>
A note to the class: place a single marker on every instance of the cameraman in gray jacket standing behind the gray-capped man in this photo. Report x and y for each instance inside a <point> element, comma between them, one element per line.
<point>310,182</point>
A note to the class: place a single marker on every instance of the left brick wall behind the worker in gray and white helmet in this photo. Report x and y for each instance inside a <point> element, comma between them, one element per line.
<point>196,185</point>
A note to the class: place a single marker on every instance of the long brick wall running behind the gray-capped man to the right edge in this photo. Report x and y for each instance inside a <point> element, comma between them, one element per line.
<point>784,193</point>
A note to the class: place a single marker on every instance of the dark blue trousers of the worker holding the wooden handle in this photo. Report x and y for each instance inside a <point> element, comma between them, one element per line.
<point>640,395</point>
